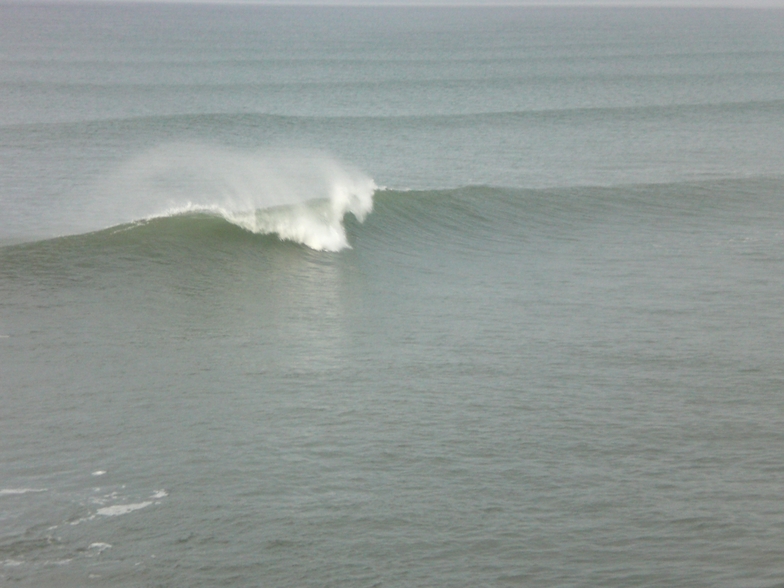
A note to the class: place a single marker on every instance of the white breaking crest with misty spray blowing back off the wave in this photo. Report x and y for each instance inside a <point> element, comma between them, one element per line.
<point>299,196</point>
